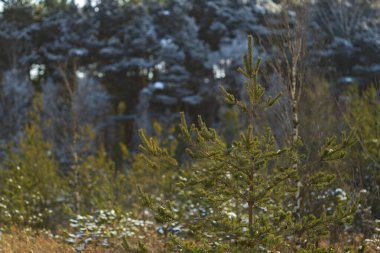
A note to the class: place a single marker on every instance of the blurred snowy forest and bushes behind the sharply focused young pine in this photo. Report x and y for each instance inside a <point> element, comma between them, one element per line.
<point>78,79</point>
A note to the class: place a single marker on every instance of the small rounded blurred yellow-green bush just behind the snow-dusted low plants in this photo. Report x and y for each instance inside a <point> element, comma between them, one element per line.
<point>95,183</point>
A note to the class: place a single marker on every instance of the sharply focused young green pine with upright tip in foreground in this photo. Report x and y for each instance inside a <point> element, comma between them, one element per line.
<point>240,197</point>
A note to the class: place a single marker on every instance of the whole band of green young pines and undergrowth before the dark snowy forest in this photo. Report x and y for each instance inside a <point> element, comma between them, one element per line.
<point>193,188</point>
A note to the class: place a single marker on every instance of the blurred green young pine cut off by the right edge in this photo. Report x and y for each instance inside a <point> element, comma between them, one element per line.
<point>363,116</point>
